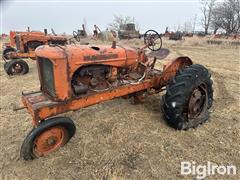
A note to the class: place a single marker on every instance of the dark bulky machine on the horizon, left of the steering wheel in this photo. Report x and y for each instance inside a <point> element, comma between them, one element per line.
<point>128,31</point>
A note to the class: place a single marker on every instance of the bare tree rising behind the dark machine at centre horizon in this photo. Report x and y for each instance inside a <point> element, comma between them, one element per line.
<point>120,20</point>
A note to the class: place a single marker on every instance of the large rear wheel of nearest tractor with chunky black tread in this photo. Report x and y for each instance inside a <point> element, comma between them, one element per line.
<point>189,96</point>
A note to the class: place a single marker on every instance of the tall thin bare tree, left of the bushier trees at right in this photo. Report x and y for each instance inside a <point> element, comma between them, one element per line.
<point>207,7</point>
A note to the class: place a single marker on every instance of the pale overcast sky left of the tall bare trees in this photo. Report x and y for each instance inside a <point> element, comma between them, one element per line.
<point>69,15</point>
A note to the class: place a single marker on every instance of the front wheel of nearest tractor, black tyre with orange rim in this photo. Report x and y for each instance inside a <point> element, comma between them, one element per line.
<point>49,136</point>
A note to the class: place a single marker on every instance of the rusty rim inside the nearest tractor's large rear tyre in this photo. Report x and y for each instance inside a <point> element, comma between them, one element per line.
<point>198,101</point>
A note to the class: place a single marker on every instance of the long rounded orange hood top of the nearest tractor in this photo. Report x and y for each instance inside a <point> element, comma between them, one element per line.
<point>84,52</point>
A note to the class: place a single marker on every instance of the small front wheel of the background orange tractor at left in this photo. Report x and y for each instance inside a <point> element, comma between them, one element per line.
<point>16,67</point>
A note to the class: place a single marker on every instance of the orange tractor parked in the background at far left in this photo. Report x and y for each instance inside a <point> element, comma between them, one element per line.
<point>23,45</point>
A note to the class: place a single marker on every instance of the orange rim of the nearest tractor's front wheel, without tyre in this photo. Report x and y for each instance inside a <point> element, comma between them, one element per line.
<point>50,140</point>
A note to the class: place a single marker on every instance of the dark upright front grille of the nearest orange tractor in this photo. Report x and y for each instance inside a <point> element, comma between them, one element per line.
<point>46,76</point>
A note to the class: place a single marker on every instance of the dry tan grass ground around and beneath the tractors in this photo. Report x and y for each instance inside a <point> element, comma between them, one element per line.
<point>118,140</point>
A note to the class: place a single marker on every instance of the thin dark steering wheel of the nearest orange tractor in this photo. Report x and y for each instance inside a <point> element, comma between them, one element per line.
<point>153,40</point>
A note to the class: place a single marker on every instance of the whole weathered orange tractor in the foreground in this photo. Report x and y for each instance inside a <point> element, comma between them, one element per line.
<point>76,76</point>
